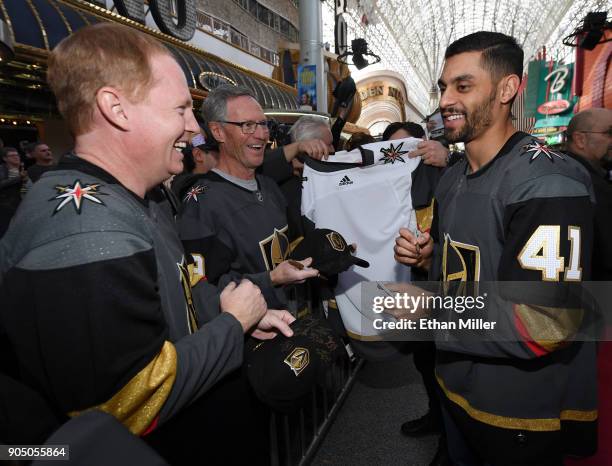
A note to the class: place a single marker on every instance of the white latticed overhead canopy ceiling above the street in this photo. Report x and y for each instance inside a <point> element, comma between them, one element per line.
<point>411,36</point>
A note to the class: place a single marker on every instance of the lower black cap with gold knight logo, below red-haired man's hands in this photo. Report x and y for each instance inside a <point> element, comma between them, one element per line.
<point>284,370</point>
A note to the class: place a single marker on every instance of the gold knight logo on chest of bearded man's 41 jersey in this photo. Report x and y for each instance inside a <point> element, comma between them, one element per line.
<point>460,263</point>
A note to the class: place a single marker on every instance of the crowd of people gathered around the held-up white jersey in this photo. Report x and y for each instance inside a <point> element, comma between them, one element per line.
<point>138,272</point>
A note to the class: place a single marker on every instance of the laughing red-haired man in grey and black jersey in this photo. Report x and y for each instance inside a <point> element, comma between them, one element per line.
<point>96,290</point>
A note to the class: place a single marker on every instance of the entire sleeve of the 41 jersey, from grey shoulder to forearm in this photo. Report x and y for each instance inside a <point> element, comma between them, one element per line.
<point>546,234</point>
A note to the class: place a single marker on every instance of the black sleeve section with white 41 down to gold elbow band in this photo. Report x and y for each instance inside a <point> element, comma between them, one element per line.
<point>547,252</point>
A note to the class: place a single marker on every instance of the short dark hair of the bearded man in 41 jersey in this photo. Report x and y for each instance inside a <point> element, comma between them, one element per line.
<point>501,54</point>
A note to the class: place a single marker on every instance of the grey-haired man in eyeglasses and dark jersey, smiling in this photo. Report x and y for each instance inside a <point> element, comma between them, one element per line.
<point>233,221</point>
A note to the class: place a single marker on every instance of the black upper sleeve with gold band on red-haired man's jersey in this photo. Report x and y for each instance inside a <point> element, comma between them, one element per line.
<point>84,332</point>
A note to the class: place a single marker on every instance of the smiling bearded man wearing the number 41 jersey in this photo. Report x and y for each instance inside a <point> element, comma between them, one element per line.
<point>513,210</point>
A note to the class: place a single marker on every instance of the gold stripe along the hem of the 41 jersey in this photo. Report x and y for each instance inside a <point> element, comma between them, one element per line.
<point>539,425</point>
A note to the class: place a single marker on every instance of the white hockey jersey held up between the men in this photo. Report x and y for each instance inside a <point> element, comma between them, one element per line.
<point>367,205</point>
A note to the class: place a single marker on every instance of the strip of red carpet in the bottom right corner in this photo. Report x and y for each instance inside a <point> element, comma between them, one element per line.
<point>604,380</point>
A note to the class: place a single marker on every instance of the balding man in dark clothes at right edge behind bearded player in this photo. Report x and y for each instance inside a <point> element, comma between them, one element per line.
<point>590,143</point>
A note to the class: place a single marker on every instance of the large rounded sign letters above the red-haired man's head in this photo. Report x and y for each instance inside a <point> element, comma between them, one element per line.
<point>179,22</point>
